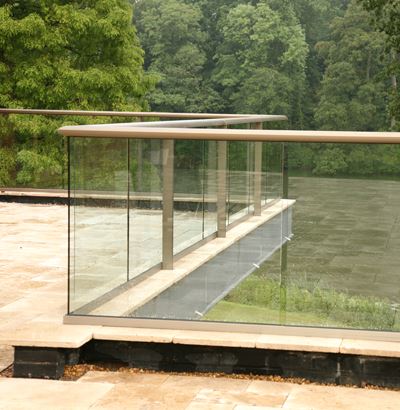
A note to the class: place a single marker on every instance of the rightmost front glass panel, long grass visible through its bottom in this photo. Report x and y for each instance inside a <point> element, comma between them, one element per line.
<point>344,259</point>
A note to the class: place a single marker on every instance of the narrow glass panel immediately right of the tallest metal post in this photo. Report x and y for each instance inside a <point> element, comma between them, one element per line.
<point>188,193</point>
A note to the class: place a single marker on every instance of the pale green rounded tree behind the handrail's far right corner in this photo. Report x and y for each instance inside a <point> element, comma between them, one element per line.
<point>260,63</point>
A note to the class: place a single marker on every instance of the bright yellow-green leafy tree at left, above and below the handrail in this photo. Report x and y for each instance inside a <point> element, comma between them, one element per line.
<point>65,54</point>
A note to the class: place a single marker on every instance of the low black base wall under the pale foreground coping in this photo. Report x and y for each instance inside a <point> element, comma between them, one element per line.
<point>316,367</point>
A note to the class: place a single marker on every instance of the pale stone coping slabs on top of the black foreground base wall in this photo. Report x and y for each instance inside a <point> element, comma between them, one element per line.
<point>39,334</point>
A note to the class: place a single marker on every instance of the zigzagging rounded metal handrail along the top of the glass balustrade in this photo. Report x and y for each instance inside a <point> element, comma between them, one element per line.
<point>185,129</point>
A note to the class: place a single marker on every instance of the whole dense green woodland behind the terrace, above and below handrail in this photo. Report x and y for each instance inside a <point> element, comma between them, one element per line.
<point>326,64</point>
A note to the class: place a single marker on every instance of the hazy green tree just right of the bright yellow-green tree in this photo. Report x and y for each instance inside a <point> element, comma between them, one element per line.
<point>171,34</point>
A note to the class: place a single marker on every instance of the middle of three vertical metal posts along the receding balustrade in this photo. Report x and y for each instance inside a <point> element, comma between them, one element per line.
<point>221,189</point>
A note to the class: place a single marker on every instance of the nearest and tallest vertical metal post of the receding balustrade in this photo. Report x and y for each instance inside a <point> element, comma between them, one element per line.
<point>168,205</point>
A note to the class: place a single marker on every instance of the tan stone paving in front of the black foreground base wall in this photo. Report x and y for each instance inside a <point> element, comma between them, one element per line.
<point>121,390</point>
